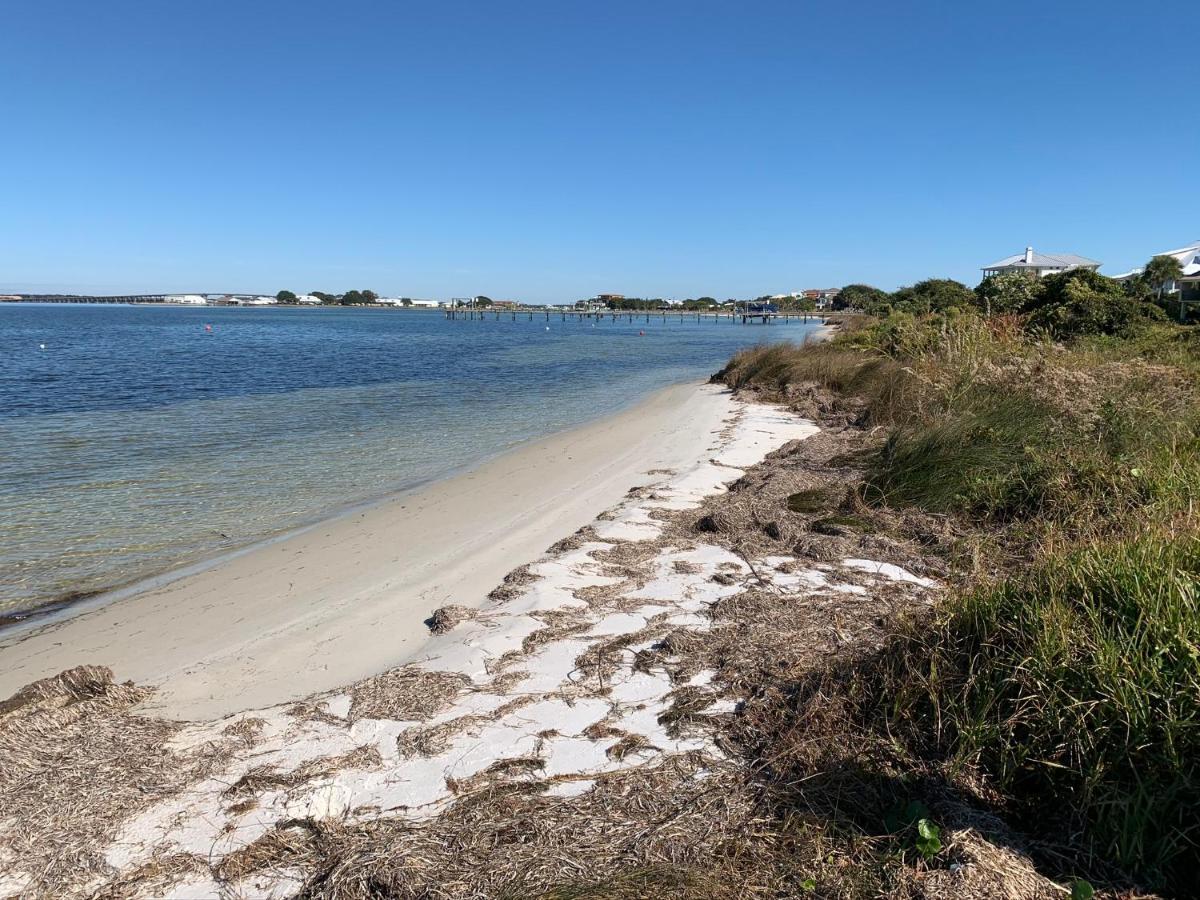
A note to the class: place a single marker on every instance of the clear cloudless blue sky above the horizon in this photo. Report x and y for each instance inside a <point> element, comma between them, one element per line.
<point>548,152</point>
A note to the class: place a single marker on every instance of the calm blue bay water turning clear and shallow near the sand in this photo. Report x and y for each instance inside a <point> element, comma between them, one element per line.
<point>139,441</point>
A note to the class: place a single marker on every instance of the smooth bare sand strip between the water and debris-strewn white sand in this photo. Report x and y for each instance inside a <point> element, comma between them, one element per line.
<point>347,598</point>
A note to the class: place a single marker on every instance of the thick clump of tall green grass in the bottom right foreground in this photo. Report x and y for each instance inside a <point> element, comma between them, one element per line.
<point>1077,691</point>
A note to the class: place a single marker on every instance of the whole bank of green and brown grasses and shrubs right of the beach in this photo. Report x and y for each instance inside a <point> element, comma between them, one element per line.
<point>1052,428</point>
